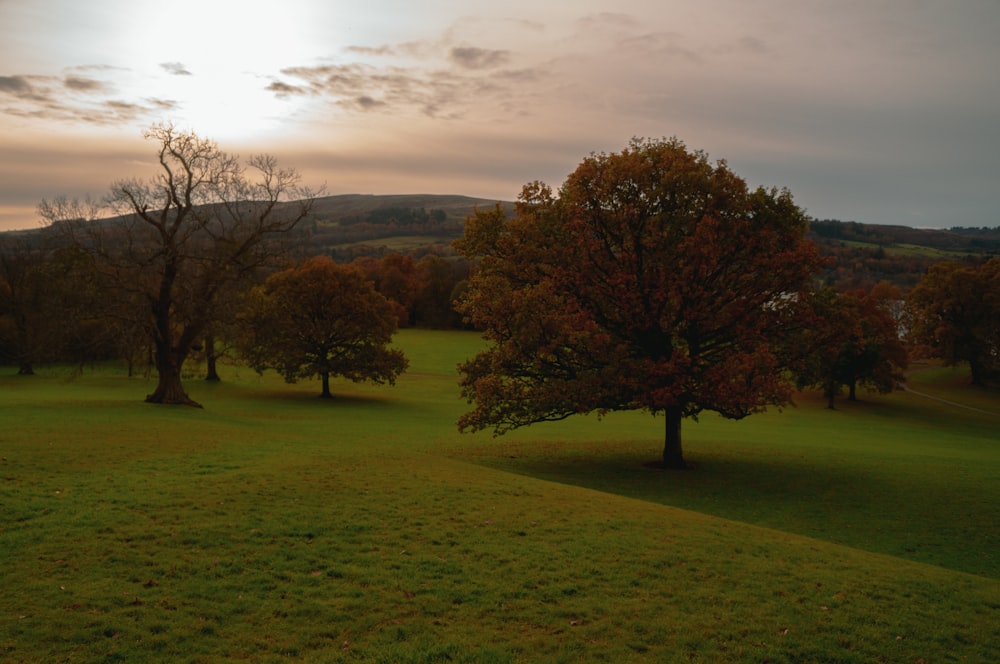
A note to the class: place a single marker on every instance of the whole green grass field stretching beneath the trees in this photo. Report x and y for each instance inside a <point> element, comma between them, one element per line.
<point>275,526</point>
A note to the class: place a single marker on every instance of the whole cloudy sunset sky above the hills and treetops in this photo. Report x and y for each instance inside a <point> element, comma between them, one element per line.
<point>879,111</point>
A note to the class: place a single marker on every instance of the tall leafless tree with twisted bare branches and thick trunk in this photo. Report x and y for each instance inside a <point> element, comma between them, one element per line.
<point>203,222</point>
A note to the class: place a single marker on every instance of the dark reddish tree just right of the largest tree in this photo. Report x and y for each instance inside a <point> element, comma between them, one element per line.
<point>853,341</point>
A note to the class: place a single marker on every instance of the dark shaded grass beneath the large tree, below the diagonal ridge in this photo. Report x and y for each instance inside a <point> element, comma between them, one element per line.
<point>845,499</point>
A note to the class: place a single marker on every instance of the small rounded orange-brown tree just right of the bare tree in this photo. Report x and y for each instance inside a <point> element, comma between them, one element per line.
<point>321,318</point>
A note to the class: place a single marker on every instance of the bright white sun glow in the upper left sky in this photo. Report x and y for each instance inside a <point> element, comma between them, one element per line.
<point>209,64</point>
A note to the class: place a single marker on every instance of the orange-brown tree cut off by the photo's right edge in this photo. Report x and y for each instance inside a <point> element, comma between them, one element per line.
<point>955,309</point>
